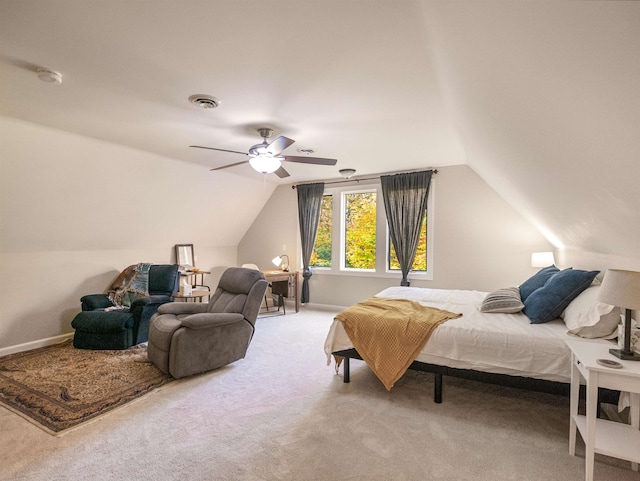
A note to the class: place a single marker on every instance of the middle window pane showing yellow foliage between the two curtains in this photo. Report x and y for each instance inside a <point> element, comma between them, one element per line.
<point>360,230</point>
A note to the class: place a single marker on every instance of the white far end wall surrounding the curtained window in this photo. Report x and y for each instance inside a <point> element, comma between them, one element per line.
<point>480,241</point>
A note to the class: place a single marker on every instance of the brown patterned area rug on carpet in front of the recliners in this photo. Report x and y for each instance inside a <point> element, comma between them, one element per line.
<point>59,387</point>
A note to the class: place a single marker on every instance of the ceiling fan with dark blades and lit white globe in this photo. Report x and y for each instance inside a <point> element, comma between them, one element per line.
<point>267,157</point>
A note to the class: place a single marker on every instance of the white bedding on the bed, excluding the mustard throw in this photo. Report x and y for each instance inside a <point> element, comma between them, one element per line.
<point>494,343</point>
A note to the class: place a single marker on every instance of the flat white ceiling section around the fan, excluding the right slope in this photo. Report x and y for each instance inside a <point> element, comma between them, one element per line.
<point>130,66</point>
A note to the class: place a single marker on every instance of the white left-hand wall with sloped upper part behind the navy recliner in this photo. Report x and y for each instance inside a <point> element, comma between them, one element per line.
<point>76,211</point>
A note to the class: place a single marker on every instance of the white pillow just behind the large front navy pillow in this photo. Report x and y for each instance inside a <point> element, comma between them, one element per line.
<point>587,317</point>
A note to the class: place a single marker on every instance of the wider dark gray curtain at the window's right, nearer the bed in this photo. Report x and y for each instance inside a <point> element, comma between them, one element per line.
<point>405,201</point>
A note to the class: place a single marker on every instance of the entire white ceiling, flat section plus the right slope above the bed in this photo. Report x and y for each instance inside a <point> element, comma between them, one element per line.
<point>540,98</point>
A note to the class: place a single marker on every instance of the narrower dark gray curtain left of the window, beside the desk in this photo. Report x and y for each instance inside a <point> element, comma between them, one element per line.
<point>309,204</point>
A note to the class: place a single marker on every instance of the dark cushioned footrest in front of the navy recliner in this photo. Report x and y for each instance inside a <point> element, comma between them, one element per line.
<point>103,330</point>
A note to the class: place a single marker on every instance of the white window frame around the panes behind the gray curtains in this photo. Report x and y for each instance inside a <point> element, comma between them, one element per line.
<point>338,193</point>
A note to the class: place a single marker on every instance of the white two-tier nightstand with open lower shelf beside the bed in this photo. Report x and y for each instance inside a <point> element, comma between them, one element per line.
<point>604,437</point>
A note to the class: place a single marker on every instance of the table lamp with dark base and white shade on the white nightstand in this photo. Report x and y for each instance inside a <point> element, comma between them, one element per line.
<point>622,288</point>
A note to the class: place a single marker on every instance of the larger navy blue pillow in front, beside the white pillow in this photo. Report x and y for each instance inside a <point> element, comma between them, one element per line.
<point>548,302</point>
